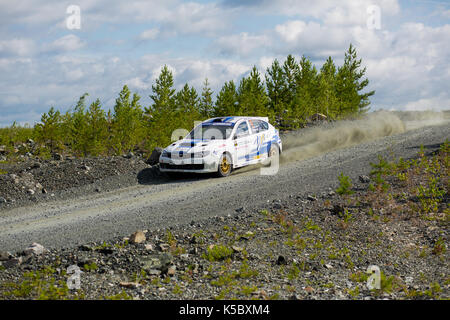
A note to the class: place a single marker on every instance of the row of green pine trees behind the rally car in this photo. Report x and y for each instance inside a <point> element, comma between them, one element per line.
<point>289,94</point>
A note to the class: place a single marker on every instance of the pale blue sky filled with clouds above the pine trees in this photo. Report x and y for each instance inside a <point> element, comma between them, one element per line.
<point>44,64</point>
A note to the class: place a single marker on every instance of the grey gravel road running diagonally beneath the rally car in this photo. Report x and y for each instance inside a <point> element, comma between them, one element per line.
<point>159,203</point>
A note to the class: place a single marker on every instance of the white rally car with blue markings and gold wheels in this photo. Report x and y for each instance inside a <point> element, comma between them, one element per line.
<point>221,145</point>
